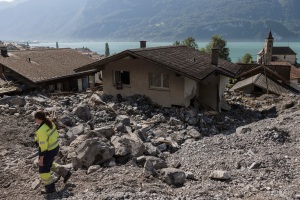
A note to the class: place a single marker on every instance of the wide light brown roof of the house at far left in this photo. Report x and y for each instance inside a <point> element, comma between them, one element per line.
<point>45,65</point>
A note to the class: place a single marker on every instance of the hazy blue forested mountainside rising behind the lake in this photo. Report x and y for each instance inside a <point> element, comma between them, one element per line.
<point>164,20</point>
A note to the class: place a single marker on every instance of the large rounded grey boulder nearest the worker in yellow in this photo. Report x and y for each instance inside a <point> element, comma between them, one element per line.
<point>94,151</point>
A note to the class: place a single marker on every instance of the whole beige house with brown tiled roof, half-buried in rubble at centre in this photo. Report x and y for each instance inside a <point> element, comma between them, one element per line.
<point>170,75</point>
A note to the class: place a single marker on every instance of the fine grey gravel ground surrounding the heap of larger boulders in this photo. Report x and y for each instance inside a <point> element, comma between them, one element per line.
<point>261,157</point>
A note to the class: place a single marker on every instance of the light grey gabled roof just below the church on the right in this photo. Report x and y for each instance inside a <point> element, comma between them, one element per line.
<point>259,80</point>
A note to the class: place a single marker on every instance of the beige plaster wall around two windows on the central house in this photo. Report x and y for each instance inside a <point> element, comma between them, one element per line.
<point>139,81</point>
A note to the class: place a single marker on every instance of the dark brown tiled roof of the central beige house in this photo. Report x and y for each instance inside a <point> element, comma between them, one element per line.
<point>181,59</point>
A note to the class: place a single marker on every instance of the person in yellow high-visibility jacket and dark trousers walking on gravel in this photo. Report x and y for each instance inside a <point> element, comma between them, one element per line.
<point>47,140</point>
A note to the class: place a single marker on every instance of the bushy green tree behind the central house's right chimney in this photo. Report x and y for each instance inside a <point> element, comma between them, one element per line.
<point>218,41</point>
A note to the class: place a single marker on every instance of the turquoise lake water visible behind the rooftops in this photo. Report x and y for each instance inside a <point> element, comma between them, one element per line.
<point>237,49</point>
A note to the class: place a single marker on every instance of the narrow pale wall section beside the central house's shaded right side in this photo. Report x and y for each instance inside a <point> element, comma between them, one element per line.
<point>190,90</point>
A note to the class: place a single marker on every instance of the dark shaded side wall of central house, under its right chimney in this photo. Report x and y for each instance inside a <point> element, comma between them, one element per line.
<point>208,91</point>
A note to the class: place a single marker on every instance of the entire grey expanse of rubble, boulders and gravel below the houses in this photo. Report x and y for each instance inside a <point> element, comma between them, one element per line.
<point>131,148</point>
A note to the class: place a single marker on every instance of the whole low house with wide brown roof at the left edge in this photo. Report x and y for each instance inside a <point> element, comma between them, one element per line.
<point>50,69</point>
